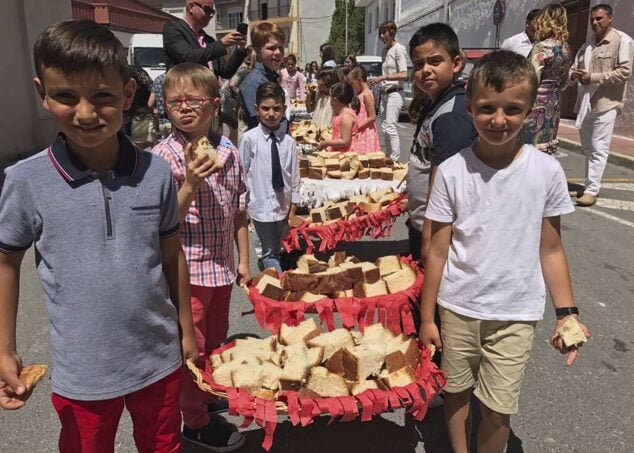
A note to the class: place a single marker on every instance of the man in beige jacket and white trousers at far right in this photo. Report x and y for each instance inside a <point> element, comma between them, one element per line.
<point>602,69</point>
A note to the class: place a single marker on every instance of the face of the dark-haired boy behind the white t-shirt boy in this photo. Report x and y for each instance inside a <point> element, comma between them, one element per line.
<point>433,68</point>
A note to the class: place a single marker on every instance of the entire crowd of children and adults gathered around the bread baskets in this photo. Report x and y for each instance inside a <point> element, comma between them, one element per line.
<point>481,181</point>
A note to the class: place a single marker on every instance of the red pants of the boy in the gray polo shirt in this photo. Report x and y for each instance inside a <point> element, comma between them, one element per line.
<point>91,426</point>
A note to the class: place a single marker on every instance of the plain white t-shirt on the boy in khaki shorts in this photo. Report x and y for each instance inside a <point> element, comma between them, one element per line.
<point>493,269</point>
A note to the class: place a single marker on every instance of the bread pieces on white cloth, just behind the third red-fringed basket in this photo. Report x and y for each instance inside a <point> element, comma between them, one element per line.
<point>336,165</point>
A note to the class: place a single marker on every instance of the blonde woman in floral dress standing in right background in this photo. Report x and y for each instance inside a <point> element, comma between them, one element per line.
<point>551,57</point>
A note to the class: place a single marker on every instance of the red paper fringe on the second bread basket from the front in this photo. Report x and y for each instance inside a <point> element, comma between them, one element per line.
<point>394,311</point>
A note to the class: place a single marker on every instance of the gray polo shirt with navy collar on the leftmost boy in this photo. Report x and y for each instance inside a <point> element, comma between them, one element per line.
<point>113,328</point>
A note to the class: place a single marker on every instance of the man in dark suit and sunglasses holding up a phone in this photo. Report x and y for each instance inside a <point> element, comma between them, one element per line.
<point>185,40</point>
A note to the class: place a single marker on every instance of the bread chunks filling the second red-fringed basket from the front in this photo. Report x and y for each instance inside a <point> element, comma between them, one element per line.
<point>342,276</point>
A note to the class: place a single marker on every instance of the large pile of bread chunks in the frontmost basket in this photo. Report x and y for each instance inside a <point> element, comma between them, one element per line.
<point>318,364</point>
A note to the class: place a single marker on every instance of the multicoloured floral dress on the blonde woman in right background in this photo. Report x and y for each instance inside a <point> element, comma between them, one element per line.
<point>552,60</point>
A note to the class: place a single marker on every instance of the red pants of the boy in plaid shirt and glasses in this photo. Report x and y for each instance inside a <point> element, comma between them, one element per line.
<point>210,310</point>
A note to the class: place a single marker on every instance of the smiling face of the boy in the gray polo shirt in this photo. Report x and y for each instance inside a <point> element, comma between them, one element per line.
<point>88,107</point>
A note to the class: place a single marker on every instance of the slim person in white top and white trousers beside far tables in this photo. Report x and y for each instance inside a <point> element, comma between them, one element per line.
<point>391,83</point>
